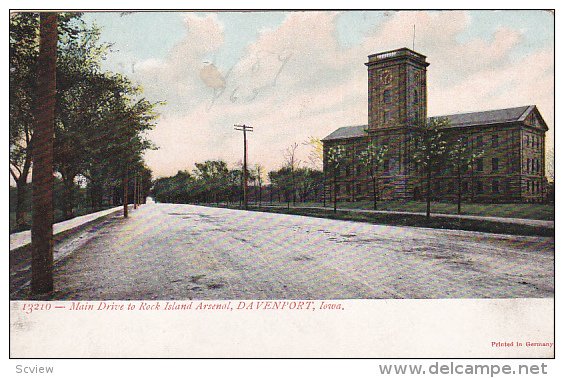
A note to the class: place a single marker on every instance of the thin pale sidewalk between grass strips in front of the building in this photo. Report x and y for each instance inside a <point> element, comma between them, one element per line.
<point>518,221</point>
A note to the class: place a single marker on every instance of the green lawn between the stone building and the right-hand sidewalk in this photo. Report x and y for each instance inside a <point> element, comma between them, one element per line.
<point>504,210</point>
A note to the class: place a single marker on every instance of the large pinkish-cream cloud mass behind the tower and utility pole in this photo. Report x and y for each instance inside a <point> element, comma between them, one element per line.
<point>296,81</point>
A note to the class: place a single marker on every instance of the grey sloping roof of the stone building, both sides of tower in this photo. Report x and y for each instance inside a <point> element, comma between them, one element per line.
<point>488,117</point>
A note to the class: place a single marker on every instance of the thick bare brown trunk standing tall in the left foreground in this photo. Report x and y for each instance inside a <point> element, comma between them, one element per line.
<point>42,176</point>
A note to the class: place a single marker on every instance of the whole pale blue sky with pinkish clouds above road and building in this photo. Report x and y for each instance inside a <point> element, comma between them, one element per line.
<point>296,75</point>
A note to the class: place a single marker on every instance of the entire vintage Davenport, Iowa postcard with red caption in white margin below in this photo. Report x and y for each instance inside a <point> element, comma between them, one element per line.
<point>282,183</point>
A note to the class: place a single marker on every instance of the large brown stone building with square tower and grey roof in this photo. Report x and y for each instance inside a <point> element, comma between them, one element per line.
<point>510,166</point>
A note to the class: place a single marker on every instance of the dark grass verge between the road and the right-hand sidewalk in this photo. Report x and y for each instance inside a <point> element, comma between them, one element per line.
<point>416,221</point>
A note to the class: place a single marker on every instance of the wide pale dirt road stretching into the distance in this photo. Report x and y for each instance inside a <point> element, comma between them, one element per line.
<point>185,252</point>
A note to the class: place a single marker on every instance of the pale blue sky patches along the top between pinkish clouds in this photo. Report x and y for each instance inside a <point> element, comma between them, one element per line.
<point>152,34</point>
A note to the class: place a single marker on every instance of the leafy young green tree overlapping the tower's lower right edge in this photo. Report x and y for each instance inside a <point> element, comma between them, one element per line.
<point>431,152</point>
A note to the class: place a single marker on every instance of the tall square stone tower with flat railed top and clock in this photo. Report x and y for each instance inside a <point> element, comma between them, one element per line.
<point>397,102</point>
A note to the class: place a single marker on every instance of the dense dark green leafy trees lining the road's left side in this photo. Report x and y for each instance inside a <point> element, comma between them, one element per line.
<point>101,119</point>
